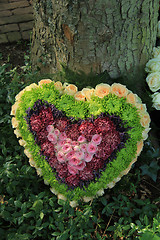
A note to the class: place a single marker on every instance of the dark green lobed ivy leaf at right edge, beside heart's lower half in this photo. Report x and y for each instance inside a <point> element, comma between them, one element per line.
<point>151,170</point>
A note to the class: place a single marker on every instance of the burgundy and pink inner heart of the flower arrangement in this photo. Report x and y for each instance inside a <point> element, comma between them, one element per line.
<point>77,150</point>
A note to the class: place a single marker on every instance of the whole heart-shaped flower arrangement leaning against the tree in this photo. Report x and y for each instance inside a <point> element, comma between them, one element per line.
<point>80,142</point>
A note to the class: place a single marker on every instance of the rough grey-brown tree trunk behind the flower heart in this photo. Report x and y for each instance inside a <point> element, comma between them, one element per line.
<point>117,36</point>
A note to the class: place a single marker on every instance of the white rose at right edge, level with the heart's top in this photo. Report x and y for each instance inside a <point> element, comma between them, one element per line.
<point>153,81</point>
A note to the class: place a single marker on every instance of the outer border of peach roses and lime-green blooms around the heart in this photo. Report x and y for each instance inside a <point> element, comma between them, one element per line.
<point>94,99</point>
